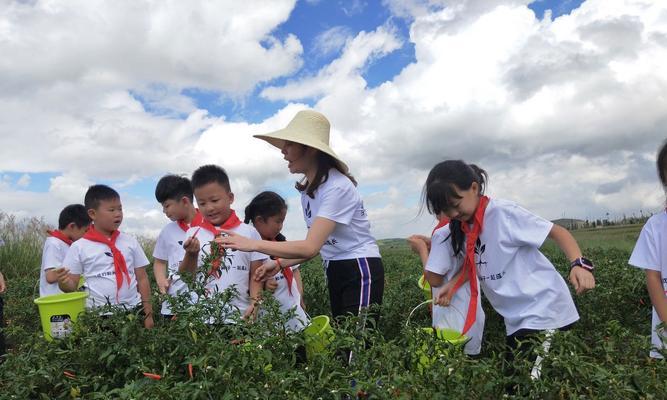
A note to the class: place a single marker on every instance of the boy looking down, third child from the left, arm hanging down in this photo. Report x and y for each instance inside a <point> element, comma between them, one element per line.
<point>174,193</point>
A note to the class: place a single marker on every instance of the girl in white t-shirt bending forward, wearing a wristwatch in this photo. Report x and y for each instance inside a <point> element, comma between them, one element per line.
<point>495,243</point>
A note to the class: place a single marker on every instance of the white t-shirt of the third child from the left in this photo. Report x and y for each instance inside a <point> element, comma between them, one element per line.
<point>169,248</point>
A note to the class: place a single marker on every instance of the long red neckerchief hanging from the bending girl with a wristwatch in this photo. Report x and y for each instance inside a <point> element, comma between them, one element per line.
<point>472,234</point>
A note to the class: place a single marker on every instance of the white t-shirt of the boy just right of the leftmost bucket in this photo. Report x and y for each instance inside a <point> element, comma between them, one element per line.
<point>94,261</point>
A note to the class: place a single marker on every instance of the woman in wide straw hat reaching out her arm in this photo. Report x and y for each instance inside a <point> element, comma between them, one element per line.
<point>338,226</point>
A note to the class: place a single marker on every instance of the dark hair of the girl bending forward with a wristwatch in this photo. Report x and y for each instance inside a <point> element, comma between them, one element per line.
<point>439,193</point>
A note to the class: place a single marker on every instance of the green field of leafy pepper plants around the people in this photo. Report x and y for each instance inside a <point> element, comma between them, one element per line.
<point>604,356</point>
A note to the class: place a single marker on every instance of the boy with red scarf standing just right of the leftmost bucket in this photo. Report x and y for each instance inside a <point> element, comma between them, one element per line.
<point>113,263</point>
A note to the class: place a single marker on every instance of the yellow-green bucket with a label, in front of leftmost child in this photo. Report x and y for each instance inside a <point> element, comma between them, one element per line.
<point>57,313</point>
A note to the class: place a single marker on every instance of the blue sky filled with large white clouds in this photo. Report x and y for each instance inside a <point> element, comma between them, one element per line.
<point>562,102</point>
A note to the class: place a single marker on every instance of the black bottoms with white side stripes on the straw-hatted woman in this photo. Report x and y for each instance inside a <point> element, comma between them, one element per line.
<point>354,284</point>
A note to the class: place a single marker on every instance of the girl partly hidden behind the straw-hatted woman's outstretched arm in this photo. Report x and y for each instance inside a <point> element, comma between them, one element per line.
<point>267,212</point>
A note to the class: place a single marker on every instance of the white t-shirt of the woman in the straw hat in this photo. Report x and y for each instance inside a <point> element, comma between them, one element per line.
<point>338,200</point>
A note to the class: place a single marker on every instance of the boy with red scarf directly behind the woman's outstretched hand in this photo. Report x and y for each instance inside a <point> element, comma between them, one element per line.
<point>233,268</point>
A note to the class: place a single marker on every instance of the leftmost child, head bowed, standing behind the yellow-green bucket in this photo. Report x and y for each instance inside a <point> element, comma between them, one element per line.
<point>73,223</point>
